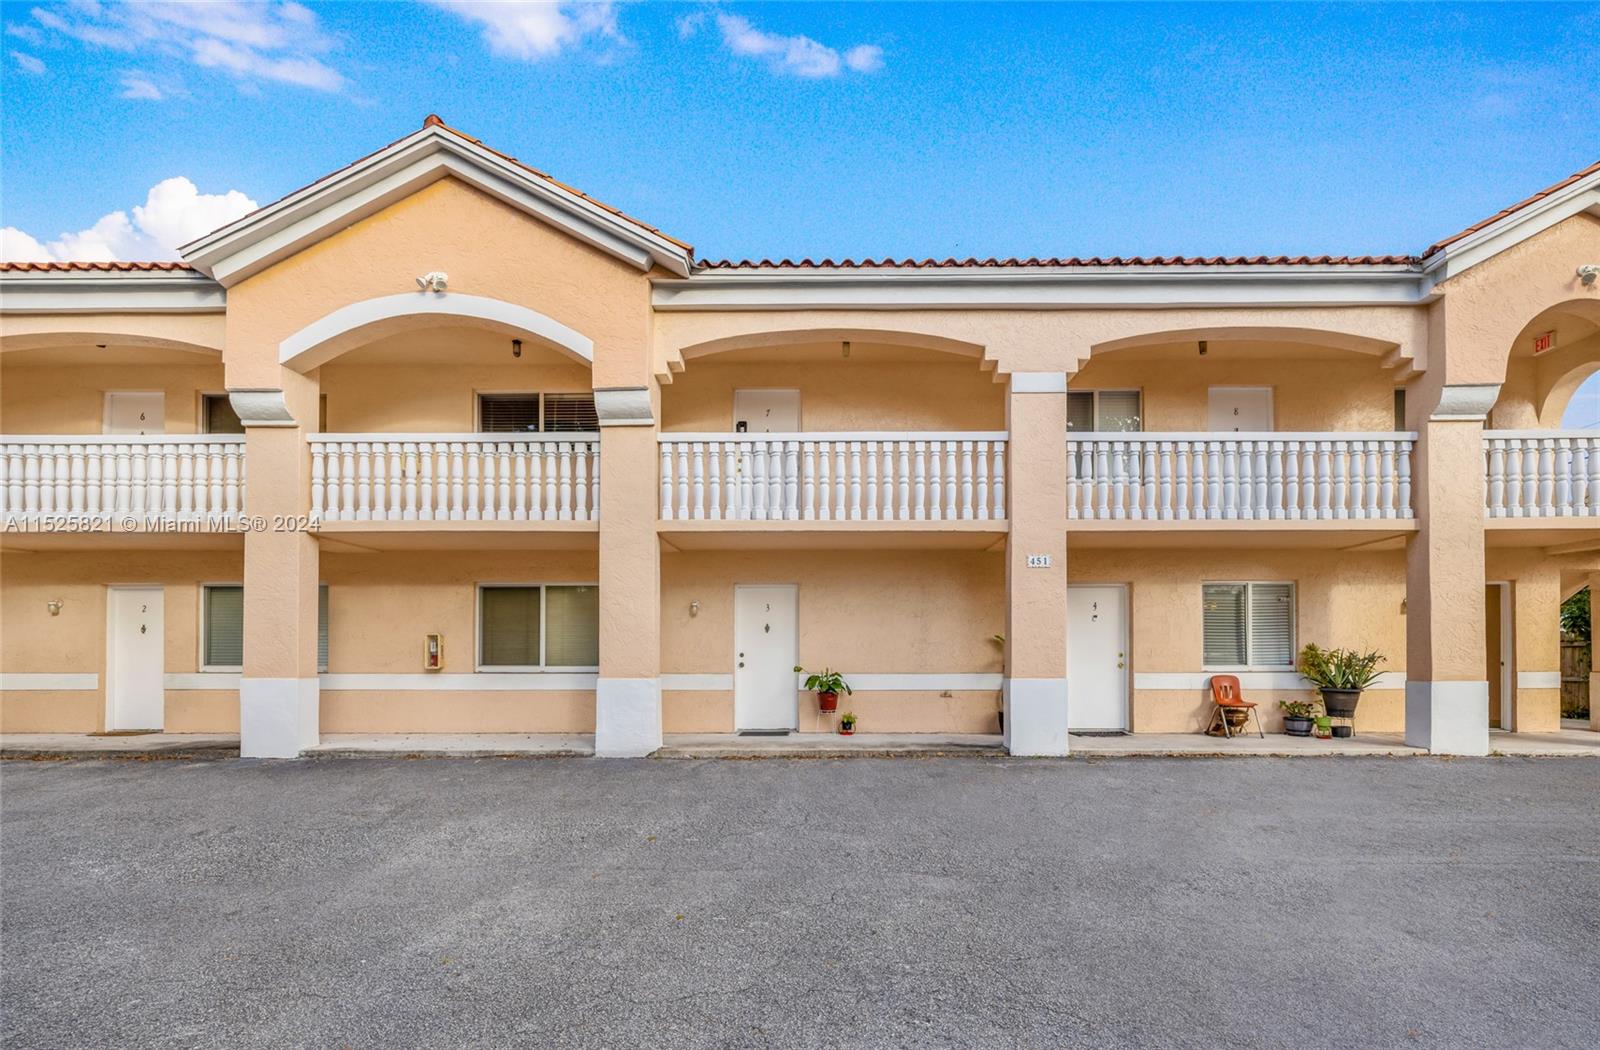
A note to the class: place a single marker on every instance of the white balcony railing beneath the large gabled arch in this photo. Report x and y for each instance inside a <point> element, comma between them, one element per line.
<point>458,478</point>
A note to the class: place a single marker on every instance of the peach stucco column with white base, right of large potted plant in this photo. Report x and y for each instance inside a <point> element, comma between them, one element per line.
<point>1447,695</point>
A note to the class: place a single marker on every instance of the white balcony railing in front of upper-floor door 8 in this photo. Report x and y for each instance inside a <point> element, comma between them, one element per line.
<point>1284,478</point>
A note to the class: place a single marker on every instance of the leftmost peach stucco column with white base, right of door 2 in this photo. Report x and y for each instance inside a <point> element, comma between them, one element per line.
<point>279,697</point>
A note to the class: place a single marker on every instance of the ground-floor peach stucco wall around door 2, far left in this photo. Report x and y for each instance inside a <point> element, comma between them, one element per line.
<point>74,643</point>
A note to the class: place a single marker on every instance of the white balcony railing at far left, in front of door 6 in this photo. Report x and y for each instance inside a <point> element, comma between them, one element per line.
<point>124,479</point>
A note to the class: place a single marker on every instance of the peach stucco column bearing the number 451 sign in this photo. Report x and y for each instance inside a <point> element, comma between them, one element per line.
<point>1036,567</point>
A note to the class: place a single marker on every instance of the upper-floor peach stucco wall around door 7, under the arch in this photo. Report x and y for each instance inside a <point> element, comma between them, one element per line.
<point>836,395</point>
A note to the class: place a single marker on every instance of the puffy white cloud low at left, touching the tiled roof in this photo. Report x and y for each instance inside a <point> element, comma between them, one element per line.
<point>174,214</point>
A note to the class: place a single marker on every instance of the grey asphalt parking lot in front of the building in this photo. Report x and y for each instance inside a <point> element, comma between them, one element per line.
<point>801,904</point>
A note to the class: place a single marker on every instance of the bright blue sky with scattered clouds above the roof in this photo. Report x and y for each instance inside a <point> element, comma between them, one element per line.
<point>818,129</point>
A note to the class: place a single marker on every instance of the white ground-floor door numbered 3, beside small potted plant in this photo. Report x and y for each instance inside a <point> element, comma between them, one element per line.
<point>766,647</point>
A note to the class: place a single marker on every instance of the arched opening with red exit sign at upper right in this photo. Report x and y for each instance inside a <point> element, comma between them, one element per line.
<point>1553,356</point>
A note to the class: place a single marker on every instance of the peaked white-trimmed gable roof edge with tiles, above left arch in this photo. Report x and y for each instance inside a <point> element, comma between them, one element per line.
<point>399,170</point>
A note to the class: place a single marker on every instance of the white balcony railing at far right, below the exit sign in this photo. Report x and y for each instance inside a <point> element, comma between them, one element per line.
<point>1542,473</point>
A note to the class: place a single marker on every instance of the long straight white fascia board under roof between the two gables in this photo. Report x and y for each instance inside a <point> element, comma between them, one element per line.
<point>825,291</point>
